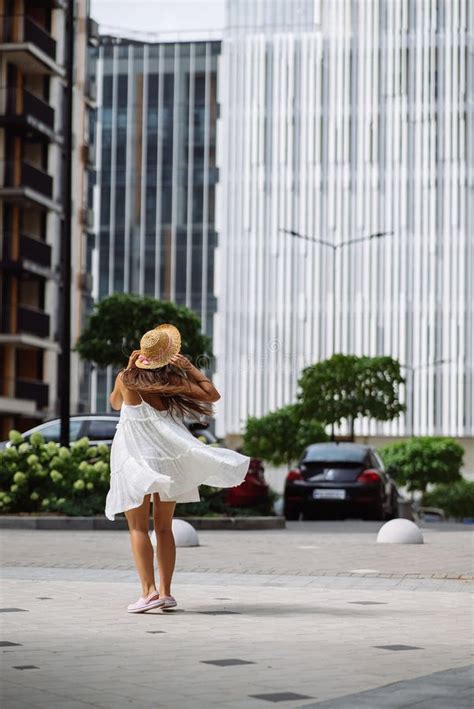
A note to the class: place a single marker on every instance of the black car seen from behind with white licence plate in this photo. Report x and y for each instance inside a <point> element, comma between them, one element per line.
<point>340,480</point>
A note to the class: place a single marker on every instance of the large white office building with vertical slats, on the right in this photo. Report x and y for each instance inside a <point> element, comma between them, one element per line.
<point>340,120</point>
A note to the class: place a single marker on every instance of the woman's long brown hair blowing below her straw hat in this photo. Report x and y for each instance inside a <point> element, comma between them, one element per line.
<point>166,381</point>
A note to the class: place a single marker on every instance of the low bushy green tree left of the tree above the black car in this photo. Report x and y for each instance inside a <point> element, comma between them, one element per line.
<point>280,436</point>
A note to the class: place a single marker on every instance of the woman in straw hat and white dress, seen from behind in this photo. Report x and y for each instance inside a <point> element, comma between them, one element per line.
<point>154,454</point>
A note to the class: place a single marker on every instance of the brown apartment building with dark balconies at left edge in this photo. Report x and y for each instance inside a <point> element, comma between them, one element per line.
<point>32,34</point>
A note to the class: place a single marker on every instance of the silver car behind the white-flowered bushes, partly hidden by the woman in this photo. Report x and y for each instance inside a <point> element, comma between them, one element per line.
<point>100,428</point>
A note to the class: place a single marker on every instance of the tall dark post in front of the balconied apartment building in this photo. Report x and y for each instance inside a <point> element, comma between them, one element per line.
<point>64,376</point>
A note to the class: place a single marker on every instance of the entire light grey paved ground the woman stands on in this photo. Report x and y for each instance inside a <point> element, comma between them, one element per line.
<point>260,621</point>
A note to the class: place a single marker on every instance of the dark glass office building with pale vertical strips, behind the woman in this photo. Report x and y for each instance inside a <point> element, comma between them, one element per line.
<point>155,194</point>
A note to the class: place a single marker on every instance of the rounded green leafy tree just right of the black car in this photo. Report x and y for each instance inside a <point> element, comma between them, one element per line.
<point>420,461</point>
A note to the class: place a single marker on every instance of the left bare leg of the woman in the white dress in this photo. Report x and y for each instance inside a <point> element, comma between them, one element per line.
<point>142,548</point>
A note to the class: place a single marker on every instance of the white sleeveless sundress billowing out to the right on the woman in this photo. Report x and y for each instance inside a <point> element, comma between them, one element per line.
<point>154,452</point>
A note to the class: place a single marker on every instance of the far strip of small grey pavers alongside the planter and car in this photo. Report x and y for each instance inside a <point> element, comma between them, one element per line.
<point>310,548</point>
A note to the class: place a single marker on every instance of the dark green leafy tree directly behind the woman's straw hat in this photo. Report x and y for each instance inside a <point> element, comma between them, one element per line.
<point>114,329</point>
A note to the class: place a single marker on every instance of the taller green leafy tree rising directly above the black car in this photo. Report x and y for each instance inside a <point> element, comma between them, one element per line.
<point>347,386</point>
